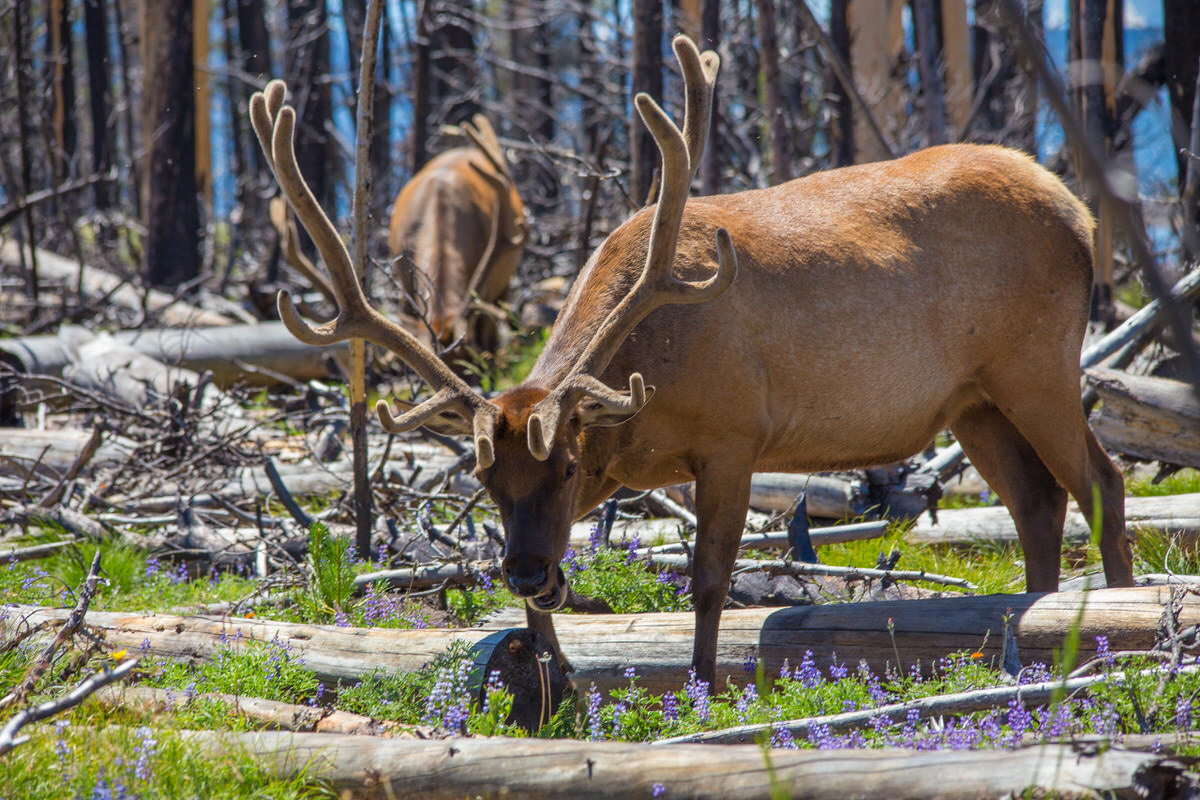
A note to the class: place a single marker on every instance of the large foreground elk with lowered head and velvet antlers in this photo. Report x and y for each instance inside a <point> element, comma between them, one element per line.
<point>833,322</point>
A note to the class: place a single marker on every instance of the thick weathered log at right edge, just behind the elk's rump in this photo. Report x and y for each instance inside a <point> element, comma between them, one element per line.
<point>1153,419</point>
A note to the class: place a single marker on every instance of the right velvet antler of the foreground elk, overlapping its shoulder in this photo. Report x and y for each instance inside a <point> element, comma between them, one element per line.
<point>657,286</point>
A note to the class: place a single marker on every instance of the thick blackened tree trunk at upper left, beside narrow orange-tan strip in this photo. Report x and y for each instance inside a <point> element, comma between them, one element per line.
<point>169,122</point>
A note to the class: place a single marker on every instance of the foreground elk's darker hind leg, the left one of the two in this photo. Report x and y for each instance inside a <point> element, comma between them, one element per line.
<point>1011,466</point>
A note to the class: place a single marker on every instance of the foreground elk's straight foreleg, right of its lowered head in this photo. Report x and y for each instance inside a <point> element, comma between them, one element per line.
<point>723,497</point>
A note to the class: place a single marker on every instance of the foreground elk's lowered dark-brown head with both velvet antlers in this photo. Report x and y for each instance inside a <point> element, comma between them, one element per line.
<point>532,442</point>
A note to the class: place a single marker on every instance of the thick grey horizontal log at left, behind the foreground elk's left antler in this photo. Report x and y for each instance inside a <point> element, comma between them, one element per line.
<point>256,354</point>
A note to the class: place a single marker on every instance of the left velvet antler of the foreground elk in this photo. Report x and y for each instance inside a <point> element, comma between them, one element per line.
<point>275,125</point>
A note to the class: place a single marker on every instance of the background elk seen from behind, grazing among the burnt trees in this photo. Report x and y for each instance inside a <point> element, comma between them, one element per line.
<point>461,225</point>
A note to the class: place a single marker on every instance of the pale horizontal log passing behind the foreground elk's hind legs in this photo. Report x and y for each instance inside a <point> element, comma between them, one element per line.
<point>1177,514</point>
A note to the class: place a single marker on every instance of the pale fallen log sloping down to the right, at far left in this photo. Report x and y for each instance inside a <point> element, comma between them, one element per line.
<point>118,292</point>
